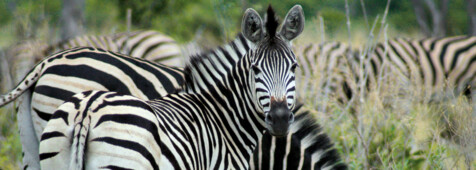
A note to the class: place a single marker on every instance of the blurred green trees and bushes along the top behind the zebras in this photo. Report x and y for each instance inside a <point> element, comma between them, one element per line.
<point>184,20</point>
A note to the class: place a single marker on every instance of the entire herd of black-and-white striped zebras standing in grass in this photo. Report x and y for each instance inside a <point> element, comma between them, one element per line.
<point>213,113</point>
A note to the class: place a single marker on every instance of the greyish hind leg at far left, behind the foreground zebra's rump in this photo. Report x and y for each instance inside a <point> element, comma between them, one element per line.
<point>28,138</point>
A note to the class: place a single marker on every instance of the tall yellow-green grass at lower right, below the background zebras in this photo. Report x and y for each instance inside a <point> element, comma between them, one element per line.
<point>398,124</point>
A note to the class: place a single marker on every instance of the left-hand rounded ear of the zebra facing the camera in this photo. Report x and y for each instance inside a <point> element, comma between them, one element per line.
<point>252,26</point>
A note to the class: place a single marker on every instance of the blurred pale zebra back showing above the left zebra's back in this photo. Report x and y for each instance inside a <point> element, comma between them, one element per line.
<point>148,44</point>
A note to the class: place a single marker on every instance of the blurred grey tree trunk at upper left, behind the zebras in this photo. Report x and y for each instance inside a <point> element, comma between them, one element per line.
<point>72,18</point>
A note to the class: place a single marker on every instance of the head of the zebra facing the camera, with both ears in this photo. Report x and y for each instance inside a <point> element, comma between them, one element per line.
<point>273,64</point>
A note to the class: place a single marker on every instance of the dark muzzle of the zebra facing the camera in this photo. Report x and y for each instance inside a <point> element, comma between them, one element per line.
<point>279,118</point>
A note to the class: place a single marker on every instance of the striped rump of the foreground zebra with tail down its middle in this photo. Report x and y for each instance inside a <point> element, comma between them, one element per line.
<point>88,132</point>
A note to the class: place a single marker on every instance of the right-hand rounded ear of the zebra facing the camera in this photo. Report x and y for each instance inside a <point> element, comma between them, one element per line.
<point>293,23</point>
